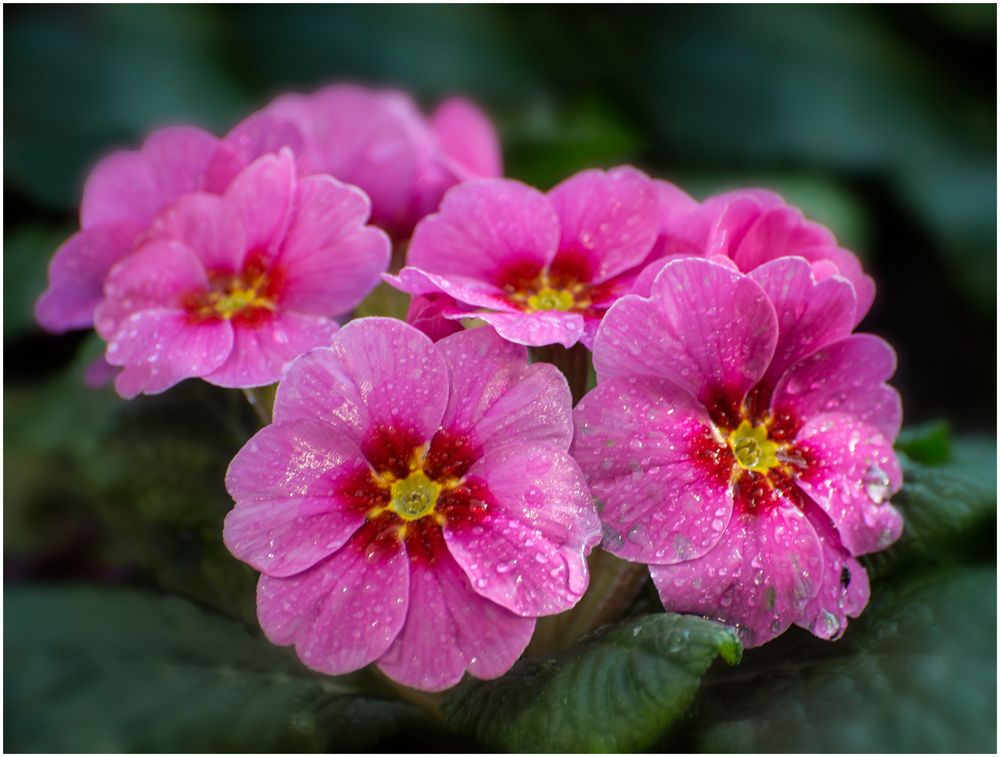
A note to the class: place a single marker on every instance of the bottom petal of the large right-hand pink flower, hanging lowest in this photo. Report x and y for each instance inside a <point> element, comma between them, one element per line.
<point>759,577</point>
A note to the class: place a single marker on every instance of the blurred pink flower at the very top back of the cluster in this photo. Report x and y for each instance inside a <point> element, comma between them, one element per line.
<point>379,141</point>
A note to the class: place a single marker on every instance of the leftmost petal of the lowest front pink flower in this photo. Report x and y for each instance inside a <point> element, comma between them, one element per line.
<point>291,508</point>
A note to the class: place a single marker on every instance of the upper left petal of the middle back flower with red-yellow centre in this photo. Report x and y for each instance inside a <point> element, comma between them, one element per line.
<point>485,227</point>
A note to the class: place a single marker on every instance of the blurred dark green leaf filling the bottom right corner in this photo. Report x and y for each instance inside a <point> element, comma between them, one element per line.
<point>917,673</point>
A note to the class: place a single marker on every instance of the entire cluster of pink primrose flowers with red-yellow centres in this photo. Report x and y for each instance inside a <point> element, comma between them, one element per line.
<point>425,491</point>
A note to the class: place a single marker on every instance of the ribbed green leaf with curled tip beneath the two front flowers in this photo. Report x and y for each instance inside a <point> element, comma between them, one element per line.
<point>618,690</point>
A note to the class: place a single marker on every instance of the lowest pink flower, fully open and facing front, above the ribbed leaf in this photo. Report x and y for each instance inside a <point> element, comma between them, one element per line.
<point>413,504</point>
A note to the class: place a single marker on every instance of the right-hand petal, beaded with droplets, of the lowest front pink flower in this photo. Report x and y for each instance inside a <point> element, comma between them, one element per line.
<point>528,553</point>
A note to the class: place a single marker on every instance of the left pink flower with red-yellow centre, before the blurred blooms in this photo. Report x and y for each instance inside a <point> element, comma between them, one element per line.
<point>231,288</point>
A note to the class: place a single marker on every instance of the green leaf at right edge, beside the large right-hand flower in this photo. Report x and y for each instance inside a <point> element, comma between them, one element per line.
<point>949,508</point>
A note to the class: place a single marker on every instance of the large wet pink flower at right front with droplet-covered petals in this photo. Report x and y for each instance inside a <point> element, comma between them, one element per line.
<point>739,441</point>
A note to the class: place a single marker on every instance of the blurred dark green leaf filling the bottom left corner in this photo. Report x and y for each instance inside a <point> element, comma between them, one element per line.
<point>90,669</point>
